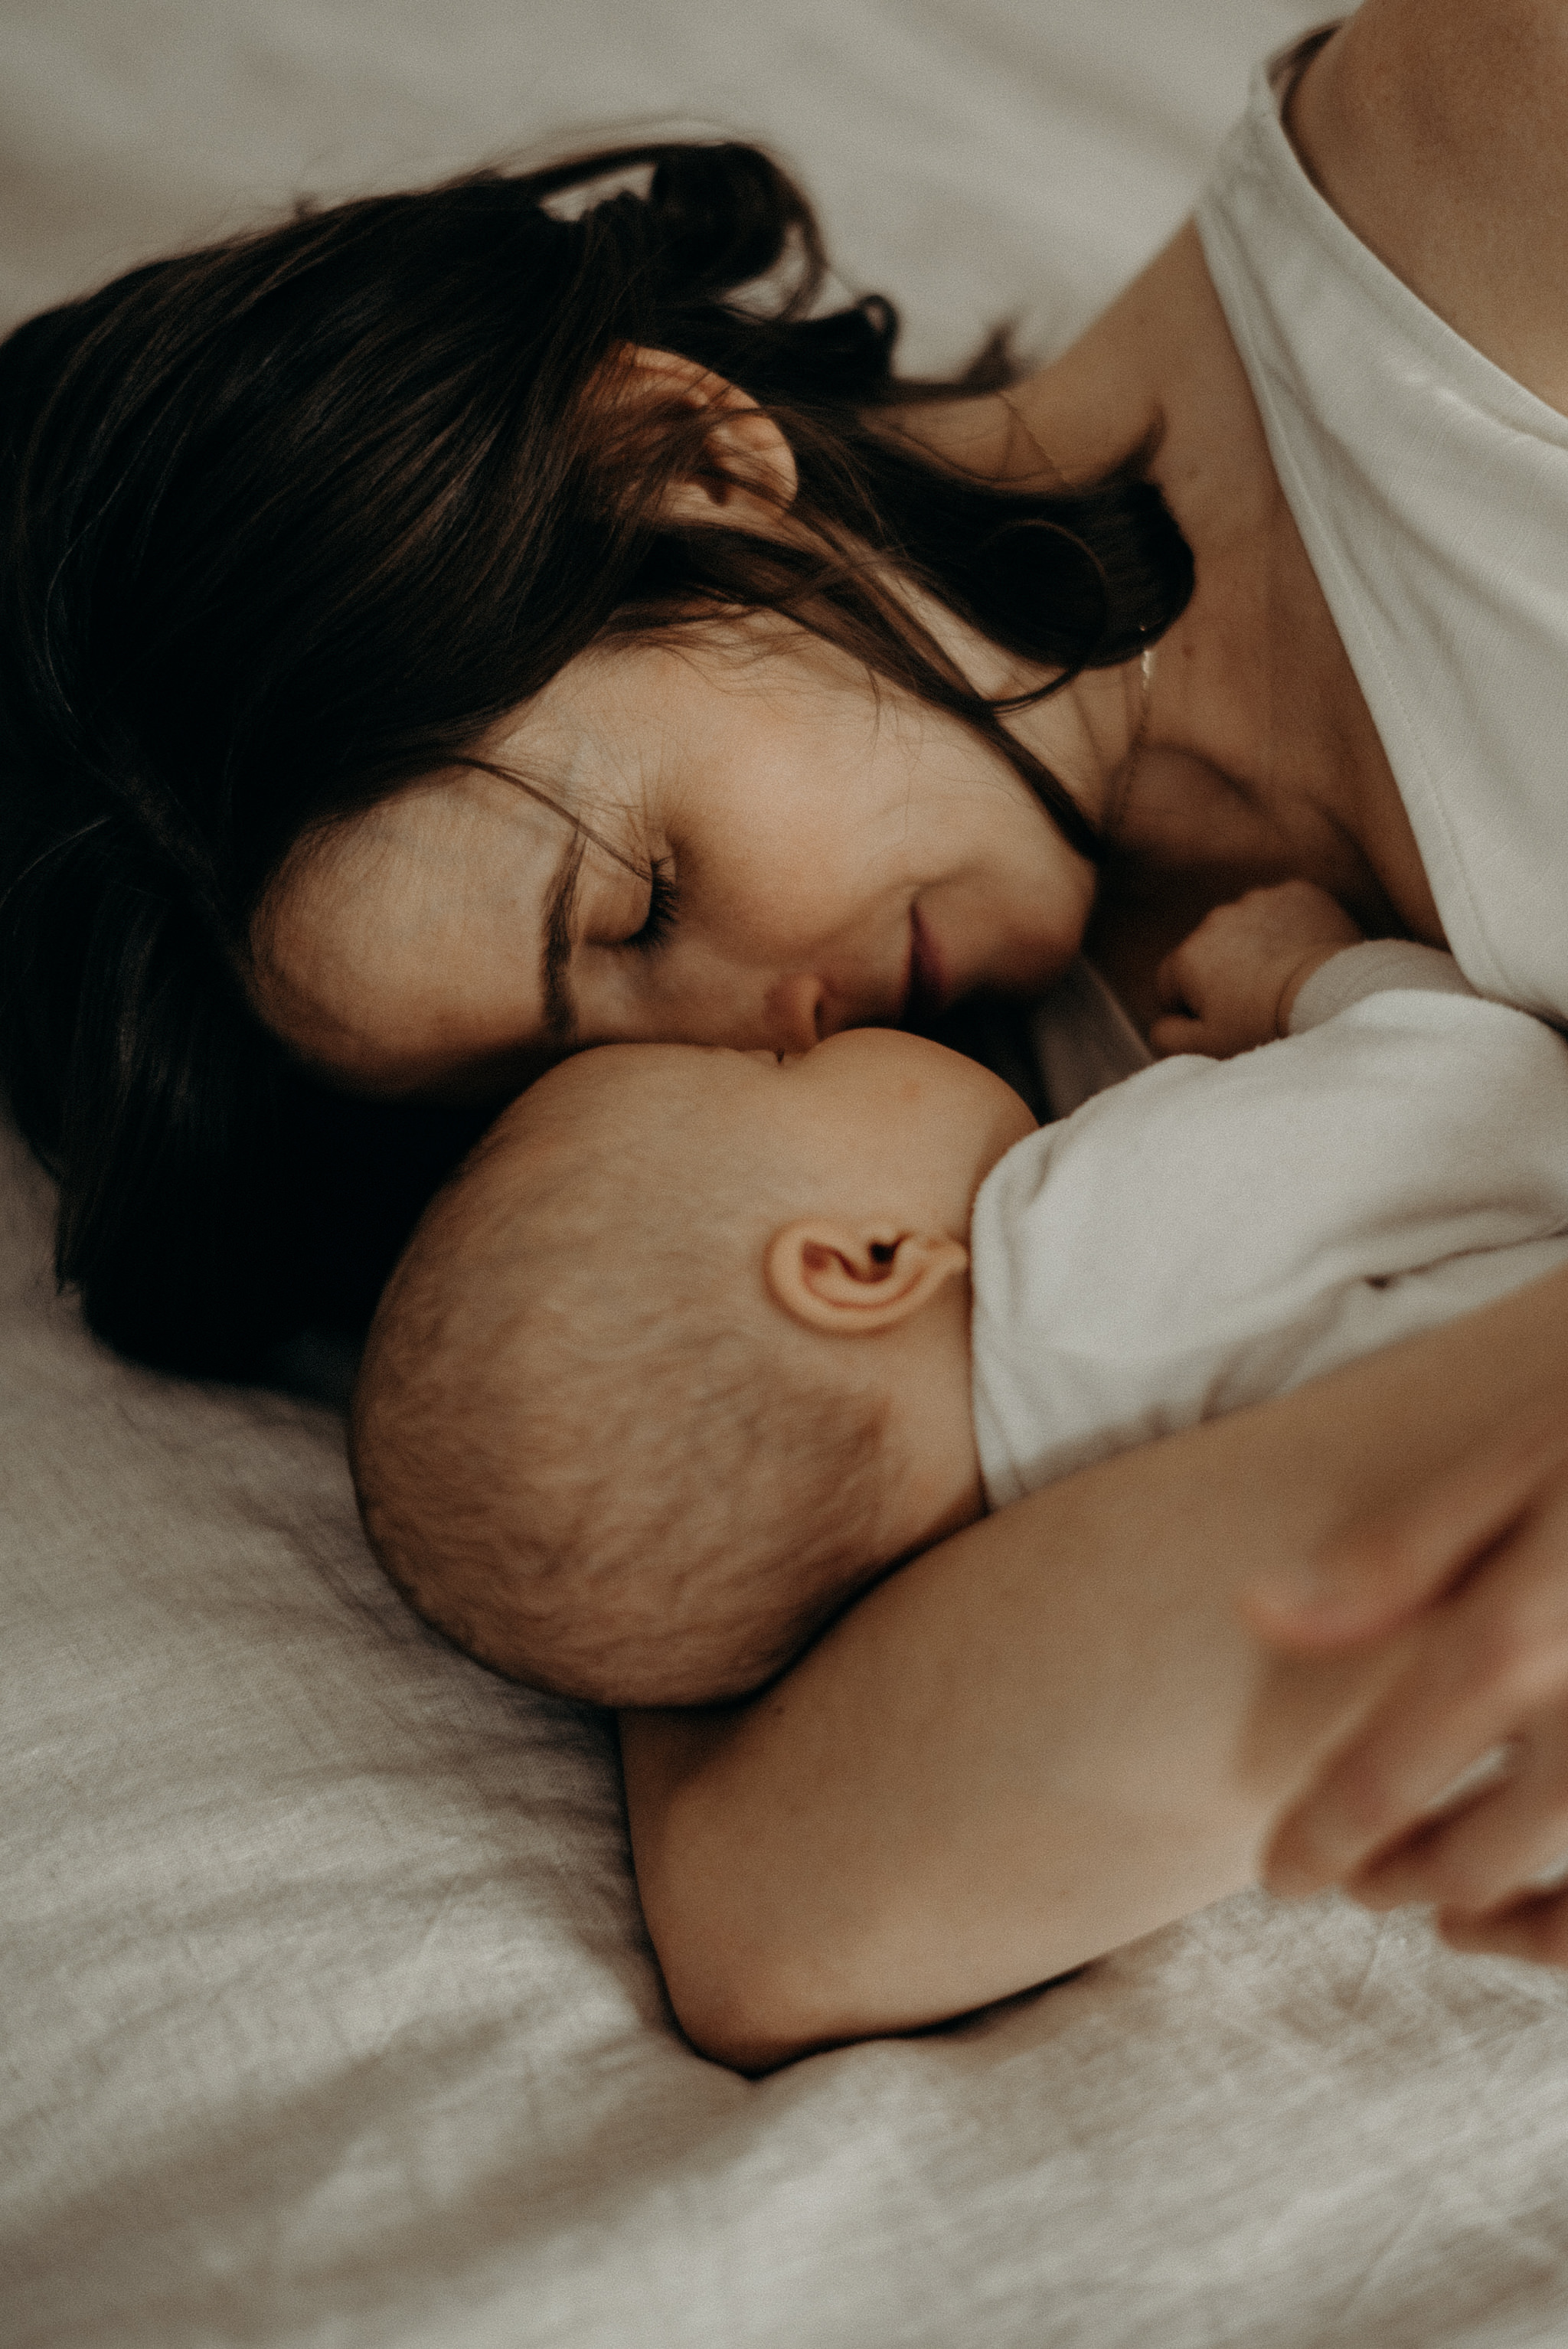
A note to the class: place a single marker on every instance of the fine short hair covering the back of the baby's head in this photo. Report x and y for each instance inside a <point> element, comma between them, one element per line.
<point>588,1446</point>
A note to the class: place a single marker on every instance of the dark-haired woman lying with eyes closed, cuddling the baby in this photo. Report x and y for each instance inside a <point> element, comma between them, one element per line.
<point>365,741</point>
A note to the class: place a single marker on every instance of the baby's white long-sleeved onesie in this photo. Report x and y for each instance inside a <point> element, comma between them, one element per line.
<point>1215,1232</point>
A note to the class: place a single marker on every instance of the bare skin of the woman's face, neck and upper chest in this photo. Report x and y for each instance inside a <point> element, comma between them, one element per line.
<point>804,826</point>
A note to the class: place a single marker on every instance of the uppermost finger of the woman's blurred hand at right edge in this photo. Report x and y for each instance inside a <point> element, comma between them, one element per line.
<point>1384,1573</point>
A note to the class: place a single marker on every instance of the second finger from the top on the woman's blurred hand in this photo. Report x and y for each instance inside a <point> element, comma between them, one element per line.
<point>1492,1660</point>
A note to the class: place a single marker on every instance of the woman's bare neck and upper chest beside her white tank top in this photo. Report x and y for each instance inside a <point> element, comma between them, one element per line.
<point>1259,758</point>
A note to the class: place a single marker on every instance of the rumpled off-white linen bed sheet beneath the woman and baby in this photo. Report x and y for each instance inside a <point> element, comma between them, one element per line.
<point>327,2010</point>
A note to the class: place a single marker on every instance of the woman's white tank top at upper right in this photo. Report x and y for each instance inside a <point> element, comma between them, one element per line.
<point>1433,499</point>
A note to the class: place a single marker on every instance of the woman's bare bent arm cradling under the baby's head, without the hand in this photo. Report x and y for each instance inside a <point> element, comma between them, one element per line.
<point>1053,1732</point>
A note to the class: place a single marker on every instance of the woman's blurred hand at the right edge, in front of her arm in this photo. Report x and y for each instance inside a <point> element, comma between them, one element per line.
<point>1457,1786</point>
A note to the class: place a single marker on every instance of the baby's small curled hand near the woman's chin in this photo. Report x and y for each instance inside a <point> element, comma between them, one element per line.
<point>1231,985</point>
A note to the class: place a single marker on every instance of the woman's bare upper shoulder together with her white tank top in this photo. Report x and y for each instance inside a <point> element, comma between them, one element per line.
<point>1414,440</point>
